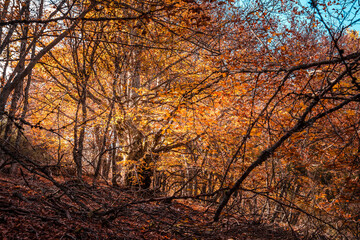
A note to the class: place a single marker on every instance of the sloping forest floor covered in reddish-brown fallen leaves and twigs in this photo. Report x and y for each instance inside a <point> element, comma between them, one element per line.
<point>34,208</point>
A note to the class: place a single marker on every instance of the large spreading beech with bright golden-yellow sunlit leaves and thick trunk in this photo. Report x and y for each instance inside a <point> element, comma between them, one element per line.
<point>133,63</point>
